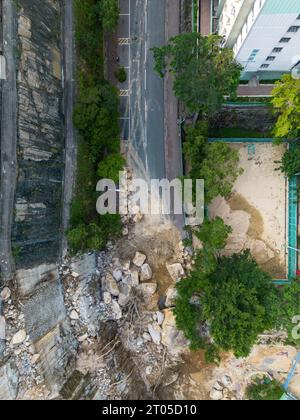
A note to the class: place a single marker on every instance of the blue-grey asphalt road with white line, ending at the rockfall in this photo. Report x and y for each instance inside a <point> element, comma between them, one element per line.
<point>147,88</point>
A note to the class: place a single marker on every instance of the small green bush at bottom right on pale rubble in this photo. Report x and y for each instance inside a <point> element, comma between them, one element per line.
<point>264,390</point>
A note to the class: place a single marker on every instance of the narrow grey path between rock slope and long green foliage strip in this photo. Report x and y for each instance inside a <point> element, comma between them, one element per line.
<point>69,100</point>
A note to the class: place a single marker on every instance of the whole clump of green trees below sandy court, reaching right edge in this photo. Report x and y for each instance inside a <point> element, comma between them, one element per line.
<point>233,298</point>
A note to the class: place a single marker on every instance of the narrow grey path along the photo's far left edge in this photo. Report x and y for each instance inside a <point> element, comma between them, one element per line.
<point>8,141</point>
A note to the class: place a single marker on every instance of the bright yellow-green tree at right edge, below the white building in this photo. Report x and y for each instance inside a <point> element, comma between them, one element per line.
<point>286,103</point>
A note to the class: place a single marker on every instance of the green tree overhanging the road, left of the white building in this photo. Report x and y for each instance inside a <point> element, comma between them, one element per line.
<point>204,71</point>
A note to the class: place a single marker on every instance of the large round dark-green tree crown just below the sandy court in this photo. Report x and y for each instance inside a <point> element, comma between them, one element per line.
<point>240,302</point>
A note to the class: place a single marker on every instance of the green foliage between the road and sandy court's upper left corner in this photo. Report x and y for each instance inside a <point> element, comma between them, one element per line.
<point>216,163</point>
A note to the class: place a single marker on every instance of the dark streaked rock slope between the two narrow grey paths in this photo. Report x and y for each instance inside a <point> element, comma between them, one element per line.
<point>37,222</point>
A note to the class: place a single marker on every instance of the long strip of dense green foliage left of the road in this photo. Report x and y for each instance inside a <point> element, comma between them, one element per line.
<point>96,118</point>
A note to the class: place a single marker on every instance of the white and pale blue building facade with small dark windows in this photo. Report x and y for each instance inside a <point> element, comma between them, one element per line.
<point>264,34</point>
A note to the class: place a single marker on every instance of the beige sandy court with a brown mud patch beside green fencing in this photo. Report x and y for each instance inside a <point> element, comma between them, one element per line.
<point>256,210</point>
